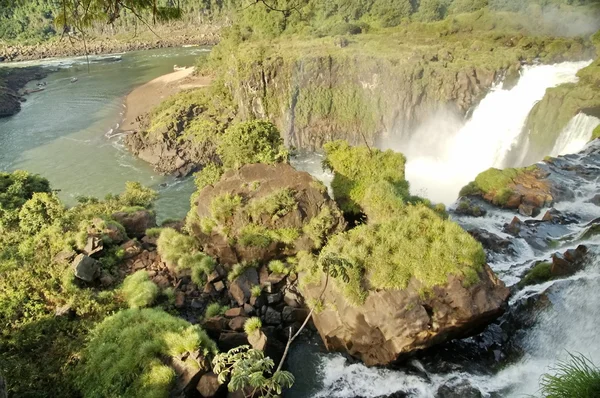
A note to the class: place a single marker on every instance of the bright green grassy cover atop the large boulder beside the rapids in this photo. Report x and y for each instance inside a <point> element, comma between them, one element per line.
<point>417,244</point>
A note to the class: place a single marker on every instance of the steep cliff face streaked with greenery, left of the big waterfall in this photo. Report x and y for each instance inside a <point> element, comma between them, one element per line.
<point>316,99</point>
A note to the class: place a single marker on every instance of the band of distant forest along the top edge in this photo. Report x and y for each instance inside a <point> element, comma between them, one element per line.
<point>39,19</point>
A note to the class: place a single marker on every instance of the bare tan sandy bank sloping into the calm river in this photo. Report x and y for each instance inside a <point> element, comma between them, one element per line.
<point>144,98</point>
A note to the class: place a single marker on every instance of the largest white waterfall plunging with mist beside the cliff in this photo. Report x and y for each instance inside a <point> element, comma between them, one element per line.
<point>446,153</point>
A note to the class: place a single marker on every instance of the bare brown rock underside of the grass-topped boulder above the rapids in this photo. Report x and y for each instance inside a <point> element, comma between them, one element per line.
<point>394,323</point>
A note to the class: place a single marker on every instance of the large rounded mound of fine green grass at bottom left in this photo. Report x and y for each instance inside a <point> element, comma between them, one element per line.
<point>125,354</point>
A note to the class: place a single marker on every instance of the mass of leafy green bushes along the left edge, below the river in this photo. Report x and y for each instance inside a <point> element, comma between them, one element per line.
<point>36,346</point>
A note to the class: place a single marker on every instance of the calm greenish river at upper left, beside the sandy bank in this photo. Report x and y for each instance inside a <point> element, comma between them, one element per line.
<point>66,132</point>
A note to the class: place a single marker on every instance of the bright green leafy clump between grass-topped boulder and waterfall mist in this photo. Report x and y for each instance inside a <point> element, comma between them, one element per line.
<point>358,168</point>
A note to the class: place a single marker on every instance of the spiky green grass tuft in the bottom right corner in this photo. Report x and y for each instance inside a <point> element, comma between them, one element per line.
<point>577,377</point>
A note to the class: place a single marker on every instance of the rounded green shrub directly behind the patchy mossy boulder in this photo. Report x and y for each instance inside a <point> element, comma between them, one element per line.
<point>255,141</point>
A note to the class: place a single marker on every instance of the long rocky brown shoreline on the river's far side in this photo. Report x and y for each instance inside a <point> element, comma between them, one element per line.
<point>97,45</point>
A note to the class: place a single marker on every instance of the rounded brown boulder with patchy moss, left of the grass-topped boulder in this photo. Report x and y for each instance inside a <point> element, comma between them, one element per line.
<point>261,212</point>
